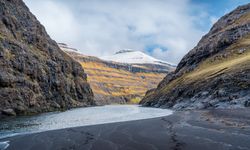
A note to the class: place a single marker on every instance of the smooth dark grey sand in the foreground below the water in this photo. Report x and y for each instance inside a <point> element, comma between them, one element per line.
<point>194,130</point>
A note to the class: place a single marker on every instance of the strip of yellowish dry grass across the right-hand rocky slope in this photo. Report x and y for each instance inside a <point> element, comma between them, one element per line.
<point>214,67</point>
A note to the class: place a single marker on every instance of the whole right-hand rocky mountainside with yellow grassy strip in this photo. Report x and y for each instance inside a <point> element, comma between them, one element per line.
<point>215,73</point>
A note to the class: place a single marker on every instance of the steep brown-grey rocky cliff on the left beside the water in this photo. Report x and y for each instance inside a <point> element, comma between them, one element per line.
<point>35,75</point>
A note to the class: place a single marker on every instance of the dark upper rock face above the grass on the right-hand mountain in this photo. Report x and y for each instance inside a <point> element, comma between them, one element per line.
<point>223,34</point>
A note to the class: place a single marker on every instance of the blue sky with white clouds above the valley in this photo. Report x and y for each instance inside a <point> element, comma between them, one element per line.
<point>164,29</point>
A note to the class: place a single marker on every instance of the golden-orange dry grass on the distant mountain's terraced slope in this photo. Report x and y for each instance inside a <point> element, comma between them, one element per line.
<point>108,81</point>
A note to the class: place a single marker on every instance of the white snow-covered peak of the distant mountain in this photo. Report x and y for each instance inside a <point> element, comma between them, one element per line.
<point>134,57</point>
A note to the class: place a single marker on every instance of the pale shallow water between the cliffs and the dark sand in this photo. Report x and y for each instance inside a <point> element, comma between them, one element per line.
<point>78,117</point>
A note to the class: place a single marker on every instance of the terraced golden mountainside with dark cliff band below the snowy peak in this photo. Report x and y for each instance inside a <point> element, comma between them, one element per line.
<point>115,82</point>
